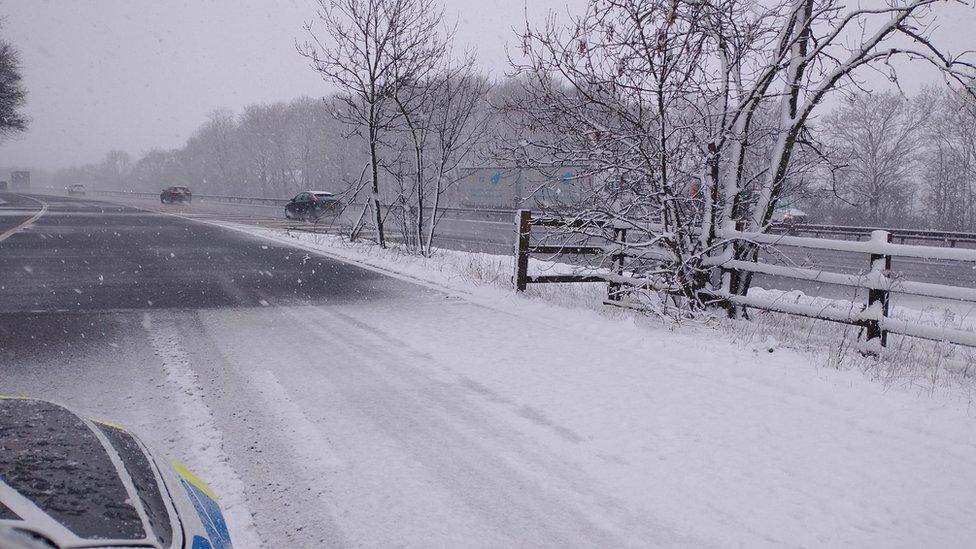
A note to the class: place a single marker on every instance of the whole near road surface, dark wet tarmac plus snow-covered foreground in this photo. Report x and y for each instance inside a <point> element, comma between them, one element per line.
<point>357,409</point>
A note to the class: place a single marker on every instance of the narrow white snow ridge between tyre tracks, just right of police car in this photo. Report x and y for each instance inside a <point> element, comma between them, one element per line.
<point>200,431</point>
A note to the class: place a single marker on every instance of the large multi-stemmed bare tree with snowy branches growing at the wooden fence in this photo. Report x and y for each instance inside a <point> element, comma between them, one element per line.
<point>663,102</point>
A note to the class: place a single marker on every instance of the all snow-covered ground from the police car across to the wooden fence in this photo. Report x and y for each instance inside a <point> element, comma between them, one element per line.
<point>454,413</point>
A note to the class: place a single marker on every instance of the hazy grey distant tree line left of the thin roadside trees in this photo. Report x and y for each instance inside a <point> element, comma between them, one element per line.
<point>267,150</point>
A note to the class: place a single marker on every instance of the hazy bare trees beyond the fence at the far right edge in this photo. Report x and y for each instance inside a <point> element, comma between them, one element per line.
<point>898,161</point>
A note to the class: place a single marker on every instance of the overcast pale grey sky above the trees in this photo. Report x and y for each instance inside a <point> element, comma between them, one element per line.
<point>132,74</point>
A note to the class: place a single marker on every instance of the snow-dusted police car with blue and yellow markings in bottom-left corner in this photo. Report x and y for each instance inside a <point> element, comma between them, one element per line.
<point>73,482</point>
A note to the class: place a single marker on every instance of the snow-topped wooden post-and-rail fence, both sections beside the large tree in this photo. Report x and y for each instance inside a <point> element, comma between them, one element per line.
<point>873,316</point>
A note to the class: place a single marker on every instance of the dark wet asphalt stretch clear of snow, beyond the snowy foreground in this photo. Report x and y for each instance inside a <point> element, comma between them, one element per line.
<point>84,255</point>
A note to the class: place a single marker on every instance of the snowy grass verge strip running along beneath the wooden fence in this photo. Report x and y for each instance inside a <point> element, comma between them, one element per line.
<point>908,362</point>
